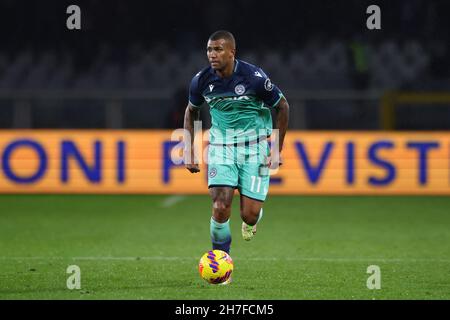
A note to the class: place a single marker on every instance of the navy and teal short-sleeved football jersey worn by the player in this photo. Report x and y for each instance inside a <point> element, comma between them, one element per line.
<point>239,104</point>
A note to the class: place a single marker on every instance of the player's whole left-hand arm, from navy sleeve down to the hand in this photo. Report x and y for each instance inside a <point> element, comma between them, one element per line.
<point>192,114</point>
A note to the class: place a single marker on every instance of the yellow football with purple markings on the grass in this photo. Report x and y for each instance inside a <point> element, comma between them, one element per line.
<point>215,266</point>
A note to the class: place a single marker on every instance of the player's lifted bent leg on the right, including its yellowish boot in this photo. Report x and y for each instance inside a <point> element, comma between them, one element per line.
<point>251,213</point>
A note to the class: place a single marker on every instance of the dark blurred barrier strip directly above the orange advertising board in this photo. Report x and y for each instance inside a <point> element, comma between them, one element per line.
<point>150,109</point>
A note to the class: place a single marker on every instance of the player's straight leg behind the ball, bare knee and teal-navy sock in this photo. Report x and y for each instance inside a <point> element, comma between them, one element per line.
<point>222,198</point>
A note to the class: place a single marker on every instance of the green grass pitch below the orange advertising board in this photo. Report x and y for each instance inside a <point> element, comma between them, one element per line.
<point>148,247</point>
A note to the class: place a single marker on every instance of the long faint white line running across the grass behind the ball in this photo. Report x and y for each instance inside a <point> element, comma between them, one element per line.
<point>169,258</point>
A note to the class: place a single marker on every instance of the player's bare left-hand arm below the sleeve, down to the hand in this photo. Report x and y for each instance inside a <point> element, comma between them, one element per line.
<point>191,114</point>
